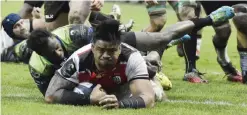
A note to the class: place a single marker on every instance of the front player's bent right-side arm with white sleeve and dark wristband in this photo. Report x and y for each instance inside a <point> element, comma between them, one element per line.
<point>143,96</point>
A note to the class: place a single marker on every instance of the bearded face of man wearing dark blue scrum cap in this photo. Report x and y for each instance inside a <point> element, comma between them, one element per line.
<point>21,28</point>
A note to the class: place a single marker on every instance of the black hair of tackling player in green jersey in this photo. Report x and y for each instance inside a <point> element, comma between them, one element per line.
<point>38,39</point>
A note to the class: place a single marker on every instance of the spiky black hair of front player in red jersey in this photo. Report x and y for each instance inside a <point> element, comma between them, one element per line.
<point>108,31</point>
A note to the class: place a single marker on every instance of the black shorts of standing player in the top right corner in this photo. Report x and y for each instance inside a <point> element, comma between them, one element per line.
<point>210,6</point>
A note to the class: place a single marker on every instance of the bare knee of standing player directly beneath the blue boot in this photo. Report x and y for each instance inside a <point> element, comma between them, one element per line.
<point>223,31</point>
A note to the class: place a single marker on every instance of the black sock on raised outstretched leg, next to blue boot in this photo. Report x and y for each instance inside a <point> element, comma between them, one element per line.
<point>201,22</point>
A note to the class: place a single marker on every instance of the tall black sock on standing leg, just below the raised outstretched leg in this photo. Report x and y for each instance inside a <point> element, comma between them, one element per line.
<point>189,49</point>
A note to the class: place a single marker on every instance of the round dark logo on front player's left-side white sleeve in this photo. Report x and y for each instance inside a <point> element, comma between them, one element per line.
<point>68,69</point>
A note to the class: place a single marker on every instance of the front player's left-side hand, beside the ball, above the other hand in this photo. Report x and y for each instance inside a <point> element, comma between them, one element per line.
<point>97,93</point>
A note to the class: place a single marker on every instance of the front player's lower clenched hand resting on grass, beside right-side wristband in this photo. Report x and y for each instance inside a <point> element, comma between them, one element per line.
<point>109,102</point>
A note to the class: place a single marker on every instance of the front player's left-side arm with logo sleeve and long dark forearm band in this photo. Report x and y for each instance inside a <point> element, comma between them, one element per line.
<point>62,84</point>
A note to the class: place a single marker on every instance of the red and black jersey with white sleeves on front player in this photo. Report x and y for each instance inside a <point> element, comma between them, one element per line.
<point>80,67</point>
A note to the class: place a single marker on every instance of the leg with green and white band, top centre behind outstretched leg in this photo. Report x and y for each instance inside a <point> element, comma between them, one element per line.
<point>157,15</point>
